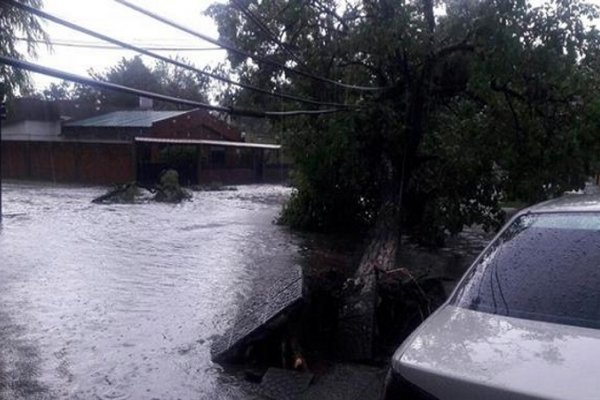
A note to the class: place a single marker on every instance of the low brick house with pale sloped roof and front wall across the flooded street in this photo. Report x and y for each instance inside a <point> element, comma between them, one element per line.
<point>91,145</point>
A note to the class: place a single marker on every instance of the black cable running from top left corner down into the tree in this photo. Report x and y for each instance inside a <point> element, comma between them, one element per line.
<point>148,53</point>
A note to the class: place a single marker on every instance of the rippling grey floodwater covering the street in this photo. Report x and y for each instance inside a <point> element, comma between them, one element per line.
<point>123,301</point>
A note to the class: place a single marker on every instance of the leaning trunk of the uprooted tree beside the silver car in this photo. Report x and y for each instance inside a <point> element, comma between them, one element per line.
<point>357,328</point>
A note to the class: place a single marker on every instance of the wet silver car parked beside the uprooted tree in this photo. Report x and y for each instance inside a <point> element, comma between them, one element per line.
<point>524,322</point>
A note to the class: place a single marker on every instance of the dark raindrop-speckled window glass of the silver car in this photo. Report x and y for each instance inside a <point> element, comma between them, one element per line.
<point>543,267</point>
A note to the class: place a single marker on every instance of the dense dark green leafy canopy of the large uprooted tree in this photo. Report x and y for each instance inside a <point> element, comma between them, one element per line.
<point>484,101</point>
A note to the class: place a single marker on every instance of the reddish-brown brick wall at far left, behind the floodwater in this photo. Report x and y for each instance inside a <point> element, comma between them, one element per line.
<point>89,163</point>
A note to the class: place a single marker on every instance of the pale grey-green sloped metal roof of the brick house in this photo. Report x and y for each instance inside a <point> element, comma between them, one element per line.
<point>127,119</point>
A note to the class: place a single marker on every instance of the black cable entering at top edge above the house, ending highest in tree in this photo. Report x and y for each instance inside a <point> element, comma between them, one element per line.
<point>244,53</point>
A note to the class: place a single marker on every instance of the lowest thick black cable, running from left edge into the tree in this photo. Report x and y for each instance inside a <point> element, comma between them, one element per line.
<point>26,65</point>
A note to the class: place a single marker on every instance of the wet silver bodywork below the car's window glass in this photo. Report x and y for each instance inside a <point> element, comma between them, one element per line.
<point>464,354</point>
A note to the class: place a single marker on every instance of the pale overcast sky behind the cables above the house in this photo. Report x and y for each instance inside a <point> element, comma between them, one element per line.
<point>113,19</point>
